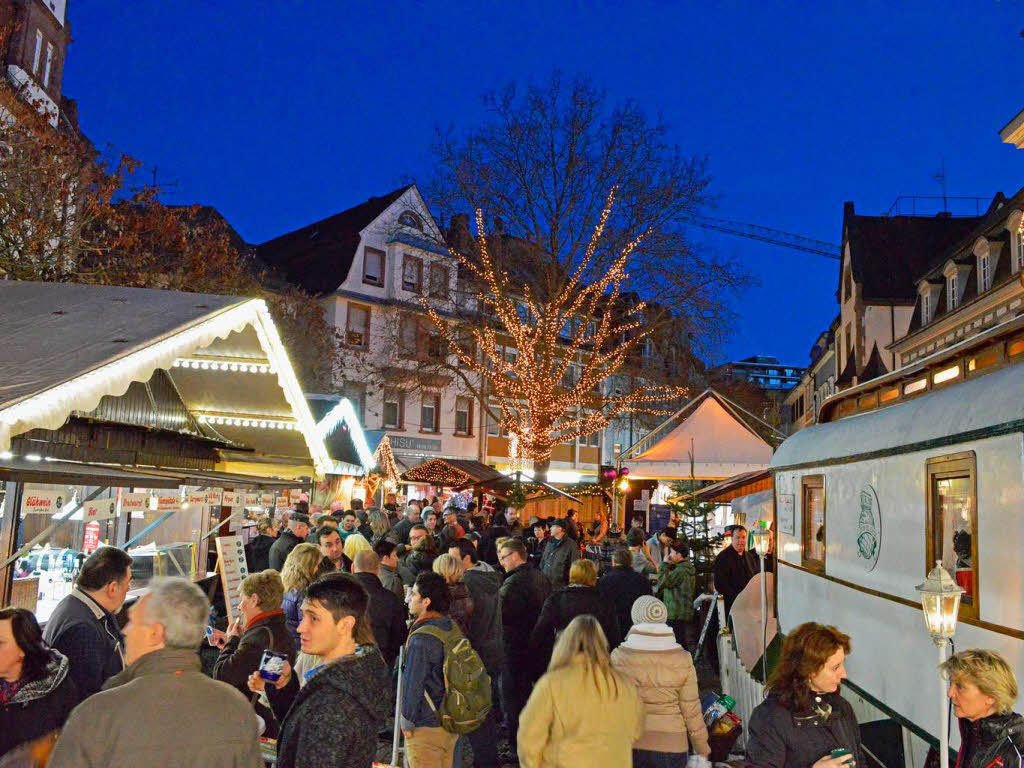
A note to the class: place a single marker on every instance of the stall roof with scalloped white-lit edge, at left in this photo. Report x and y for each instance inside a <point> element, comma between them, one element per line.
<point>67,347</point>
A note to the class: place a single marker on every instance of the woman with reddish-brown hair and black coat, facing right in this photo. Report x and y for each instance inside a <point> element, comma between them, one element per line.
<point>805,722</point>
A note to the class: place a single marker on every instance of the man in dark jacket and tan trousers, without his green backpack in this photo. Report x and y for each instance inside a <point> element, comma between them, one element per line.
<point>423,675</point>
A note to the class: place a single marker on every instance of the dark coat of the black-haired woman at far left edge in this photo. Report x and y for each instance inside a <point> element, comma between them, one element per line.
<point>39,707</point>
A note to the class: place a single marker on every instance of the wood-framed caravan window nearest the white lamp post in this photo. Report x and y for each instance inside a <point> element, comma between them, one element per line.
<point>953,524</point>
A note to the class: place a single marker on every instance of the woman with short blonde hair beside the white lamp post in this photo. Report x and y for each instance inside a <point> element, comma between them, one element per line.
<point>984,691</point>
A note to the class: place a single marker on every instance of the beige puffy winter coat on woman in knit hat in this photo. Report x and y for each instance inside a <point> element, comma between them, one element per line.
<point>667,682</point>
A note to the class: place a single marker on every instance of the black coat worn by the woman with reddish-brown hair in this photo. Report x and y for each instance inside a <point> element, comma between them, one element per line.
<point>781,739</point>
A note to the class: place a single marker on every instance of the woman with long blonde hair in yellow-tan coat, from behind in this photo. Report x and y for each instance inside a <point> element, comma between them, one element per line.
<point>566,723</point>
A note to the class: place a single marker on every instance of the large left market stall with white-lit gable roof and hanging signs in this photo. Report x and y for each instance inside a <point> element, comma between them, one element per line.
<point>138,417</point>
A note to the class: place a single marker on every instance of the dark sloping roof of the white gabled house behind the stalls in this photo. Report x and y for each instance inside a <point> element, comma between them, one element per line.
<point>318,257</point>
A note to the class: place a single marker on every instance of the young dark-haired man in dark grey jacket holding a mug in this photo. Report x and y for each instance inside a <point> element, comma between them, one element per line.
<point>333,720</point>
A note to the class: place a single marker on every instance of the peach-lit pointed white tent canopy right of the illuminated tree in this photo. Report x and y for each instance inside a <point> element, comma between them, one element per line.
<point>709,428</point>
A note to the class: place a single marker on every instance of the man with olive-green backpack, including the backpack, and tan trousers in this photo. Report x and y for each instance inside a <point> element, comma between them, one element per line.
<point>445,689</point>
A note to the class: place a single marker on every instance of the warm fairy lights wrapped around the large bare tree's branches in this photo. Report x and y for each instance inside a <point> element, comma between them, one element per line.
<point>536,402</point>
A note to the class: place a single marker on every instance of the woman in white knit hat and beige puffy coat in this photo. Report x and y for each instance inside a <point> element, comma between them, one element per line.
<point>667,682</point>
